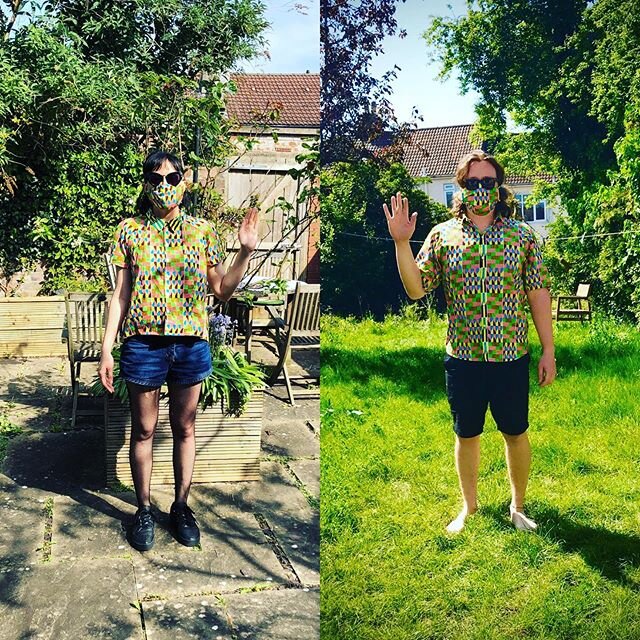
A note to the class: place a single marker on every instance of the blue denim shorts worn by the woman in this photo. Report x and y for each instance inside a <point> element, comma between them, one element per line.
<point>152,360</point>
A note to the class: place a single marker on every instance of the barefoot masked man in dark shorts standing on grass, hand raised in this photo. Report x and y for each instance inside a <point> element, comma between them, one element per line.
<point>490,265</point>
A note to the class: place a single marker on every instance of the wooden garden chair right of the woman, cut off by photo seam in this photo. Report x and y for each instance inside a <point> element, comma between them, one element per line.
<point>301,331</point>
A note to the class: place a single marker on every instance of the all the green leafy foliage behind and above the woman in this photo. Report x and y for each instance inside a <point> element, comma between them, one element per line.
<point>84,96</point>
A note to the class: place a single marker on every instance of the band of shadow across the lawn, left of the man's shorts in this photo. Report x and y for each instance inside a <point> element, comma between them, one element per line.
<point>417,372</point>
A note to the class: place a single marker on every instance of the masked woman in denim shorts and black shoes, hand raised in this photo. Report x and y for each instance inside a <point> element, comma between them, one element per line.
<point>166,262</point>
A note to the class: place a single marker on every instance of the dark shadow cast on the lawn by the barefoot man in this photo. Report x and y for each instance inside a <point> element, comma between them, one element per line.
<point>612,554</point>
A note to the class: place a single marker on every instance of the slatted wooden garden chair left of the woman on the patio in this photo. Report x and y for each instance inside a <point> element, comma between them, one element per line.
<point>86,319</point>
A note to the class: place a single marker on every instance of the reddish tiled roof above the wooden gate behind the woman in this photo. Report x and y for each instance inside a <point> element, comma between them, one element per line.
<point>295,95</point>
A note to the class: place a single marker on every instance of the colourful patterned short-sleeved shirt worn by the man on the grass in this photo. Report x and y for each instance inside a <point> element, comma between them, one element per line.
<point>486,277</point>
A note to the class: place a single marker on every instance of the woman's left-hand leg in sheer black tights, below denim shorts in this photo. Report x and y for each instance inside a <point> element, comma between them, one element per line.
<point>144,417</point>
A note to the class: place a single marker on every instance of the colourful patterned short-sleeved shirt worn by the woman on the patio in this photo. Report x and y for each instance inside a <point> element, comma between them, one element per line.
<point>168,263</point>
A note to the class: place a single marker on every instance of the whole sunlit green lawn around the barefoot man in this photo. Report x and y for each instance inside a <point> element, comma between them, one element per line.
<point>389,487</point>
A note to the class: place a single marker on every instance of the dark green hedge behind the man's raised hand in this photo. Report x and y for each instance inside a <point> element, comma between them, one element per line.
<point>359,272</point>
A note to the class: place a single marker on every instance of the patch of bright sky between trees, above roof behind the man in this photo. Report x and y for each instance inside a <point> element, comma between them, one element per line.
<point>440,103</point>
